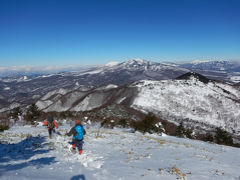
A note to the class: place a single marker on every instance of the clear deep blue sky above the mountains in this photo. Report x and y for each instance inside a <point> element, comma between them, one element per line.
<point>57,32</point>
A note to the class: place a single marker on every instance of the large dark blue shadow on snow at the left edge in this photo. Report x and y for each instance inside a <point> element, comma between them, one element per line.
<point>23,151</point>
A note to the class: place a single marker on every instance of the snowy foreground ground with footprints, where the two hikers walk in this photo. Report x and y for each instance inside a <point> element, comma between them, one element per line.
<point>26,153</point>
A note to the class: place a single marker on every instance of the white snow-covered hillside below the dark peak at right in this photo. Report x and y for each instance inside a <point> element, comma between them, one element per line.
<point>191,101</point>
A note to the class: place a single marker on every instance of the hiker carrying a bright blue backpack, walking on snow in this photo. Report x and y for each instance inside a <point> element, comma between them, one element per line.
<point>78,132</point>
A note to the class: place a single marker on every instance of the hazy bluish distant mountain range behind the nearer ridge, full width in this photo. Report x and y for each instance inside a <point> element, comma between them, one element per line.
<point>22,90</point>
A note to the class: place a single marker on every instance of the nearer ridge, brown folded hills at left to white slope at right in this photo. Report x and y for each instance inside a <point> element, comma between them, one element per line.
<point>191,98</point>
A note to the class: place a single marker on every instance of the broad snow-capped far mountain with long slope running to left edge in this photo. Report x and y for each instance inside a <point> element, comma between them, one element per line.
<point>28,89</point>
